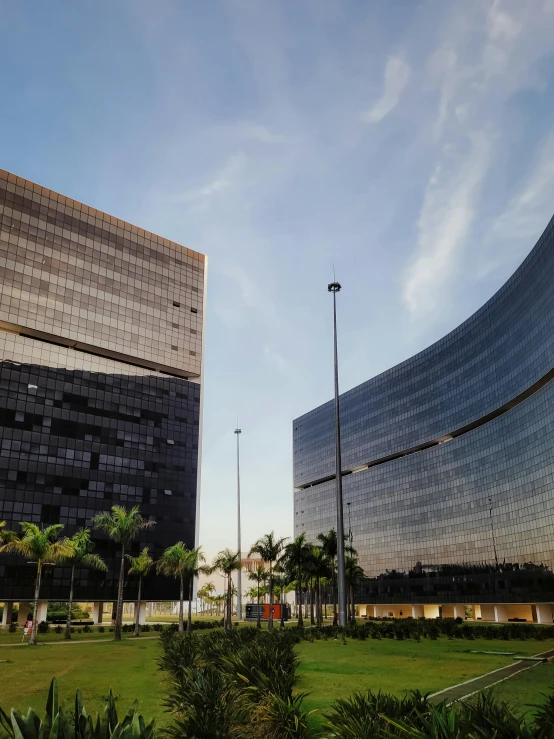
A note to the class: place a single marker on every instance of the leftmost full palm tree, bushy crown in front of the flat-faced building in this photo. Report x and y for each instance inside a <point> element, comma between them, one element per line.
<point>43,547</point>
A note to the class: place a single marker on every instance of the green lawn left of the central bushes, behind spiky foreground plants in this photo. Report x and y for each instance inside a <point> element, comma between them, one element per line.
<point>129,667</point>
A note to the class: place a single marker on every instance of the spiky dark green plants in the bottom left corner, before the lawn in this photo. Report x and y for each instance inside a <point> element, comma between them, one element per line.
<point>59,725</point>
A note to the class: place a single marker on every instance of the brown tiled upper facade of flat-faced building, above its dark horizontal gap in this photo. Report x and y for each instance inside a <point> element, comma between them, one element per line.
<point>79,274</point>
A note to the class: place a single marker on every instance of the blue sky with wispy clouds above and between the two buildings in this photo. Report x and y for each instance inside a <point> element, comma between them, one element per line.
<point>409,144</point>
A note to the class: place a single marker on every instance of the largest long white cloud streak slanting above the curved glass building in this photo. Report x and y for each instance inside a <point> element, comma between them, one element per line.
<point>445,221</point>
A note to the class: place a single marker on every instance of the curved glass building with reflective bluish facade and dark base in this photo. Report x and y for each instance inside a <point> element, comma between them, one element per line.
<point>449,455</point>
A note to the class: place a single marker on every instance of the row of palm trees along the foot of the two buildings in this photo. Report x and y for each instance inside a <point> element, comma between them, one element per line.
<point>308,569</point>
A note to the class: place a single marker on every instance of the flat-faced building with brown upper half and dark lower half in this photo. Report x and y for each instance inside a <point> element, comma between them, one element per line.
<point>101,343</point>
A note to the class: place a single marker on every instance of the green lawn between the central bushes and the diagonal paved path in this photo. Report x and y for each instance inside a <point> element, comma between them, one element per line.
<point>331,670</point>
